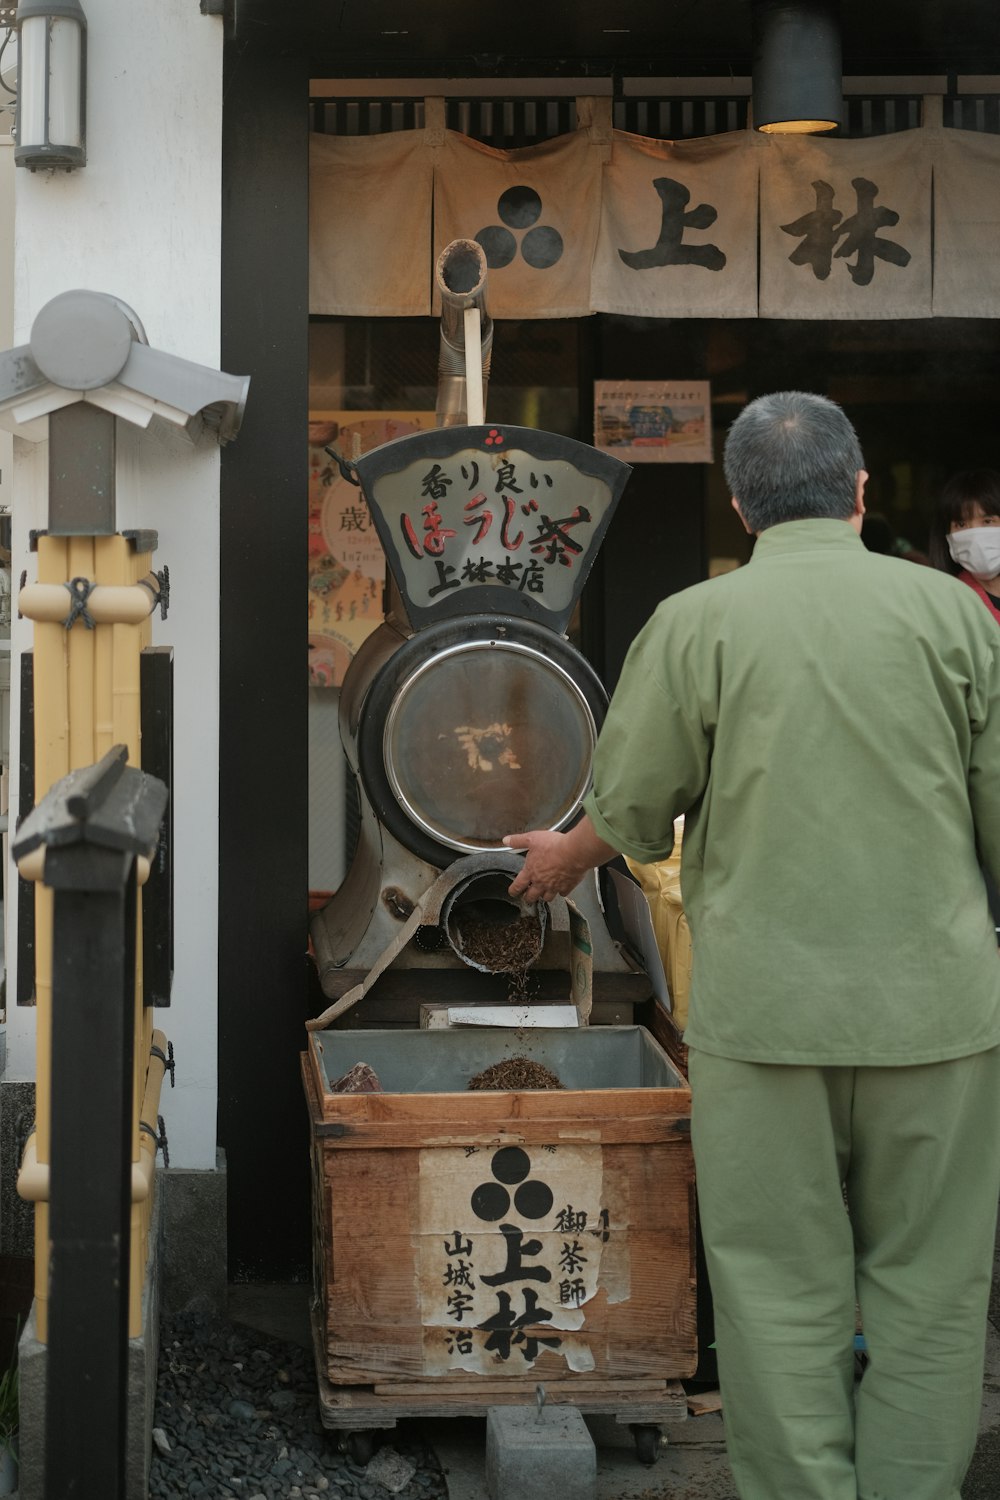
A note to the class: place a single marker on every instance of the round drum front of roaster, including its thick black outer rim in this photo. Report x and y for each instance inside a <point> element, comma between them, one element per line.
<point>476,730</point>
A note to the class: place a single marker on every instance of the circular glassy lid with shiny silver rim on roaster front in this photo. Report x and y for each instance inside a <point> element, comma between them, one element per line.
<point>490,739</point>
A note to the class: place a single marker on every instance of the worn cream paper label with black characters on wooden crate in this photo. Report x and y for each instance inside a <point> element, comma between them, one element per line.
<point>513,1244</point>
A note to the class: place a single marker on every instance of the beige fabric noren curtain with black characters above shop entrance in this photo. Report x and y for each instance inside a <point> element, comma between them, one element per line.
<point>617,223</point>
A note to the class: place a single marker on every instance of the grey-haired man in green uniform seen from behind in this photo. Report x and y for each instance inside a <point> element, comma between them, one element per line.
<point>828,721</point>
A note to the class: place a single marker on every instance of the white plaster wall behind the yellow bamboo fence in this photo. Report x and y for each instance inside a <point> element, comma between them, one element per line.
<point>143,221</point>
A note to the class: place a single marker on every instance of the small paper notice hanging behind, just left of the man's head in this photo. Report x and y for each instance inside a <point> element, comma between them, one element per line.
<point>654,422</point>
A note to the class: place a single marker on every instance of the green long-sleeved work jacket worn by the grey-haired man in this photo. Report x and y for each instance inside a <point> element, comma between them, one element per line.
<point>830,724</point>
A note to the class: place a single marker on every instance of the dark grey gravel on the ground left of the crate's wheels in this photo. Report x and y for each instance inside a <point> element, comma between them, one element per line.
<point>238,1415</point>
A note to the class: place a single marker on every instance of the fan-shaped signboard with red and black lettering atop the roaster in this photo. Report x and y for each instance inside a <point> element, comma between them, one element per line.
<point>481,520</point>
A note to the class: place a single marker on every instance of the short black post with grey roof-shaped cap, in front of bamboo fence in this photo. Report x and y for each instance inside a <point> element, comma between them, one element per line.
<point>91,826</point>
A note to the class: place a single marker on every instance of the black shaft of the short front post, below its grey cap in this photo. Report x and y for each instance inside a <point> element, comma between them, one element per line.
<point>91,1178</point>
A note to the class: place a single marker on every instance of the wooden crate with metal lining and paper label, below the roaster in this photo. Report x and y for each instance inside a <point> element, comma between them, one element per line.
<point>472,1240</point>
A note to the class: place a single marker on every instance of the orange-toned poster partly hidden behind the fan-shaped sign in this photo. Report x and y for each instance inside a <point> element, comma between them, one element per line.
<point>347,565</point>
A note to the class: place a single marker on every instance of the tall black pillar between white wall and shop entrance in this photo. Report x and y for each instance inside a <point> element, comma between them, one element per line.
<point>263,733</point>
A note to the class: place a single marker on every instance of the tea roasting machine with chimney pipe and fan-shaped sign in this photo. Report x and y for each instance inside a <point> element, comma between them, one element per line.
<point>469,715</point>
